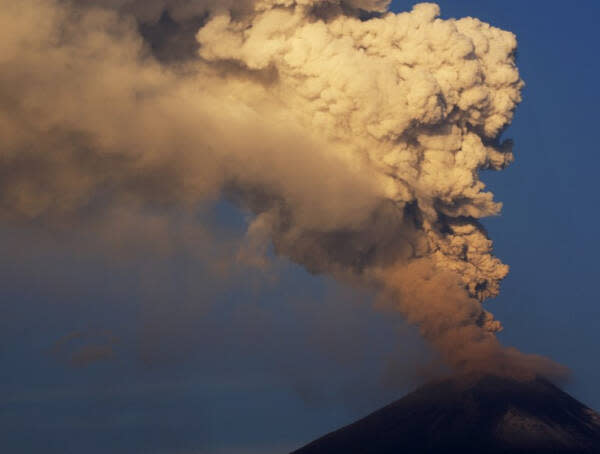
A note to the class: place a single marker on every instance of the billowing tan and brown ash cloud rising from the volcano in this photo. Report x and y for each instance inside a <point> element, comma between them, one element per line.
<point>355,135</point>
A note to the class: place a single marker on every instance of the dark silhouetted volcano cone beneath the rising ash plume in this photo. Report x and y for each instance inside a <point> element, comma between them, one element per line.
<point>480,415</point>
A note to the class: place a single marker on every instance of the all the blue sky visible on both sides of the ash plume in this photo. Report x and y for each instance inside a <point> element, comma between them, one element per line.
<point>269,363</point>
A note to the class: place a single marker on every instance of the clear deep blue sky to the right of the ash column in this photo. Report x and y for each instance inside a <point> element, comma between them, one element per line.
<point>547,230</point>
